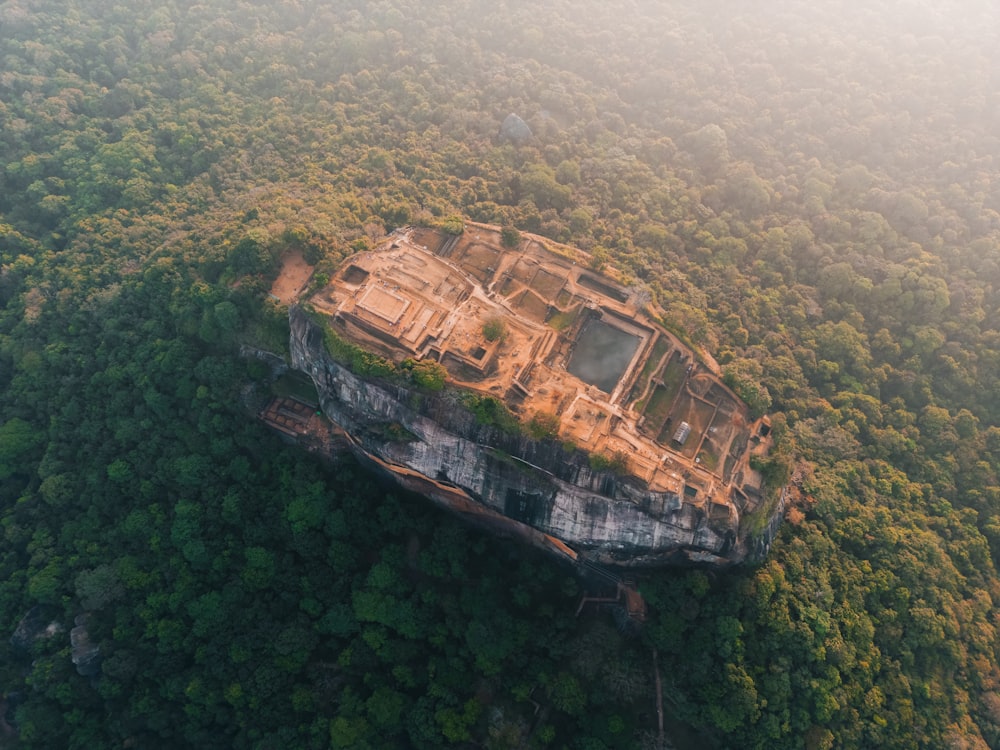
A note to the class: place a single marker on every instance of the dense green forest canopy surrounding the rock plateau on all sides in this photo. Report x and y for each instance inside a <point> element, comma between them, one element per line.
<point>808,191</point>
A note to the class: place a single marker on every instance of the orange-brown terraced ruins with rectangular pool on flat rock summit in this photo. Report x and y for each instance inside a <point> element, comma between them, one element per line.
<point>536,327</point>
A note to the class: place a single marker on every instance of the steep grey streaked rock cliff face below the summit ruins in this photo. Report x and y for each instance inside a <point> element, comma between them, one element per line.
<point>511,483</point>
